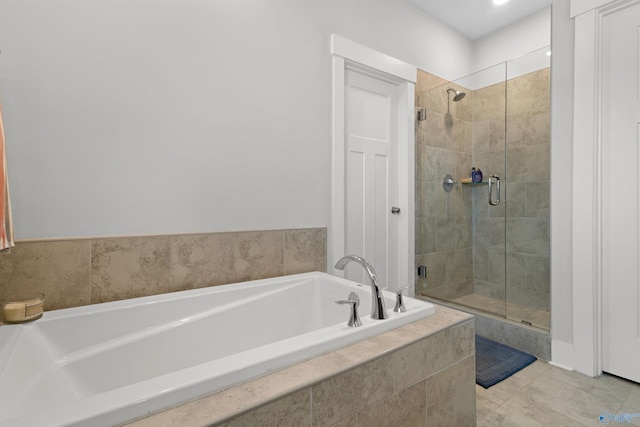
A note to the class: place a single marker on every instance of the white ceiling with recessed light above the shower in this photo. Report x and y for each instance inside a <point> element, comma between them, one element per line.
<point>477,18</point>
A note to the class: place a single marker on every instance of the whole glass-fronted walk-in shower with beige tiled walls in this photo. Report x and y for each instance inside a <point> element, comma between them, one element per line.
<point>485,245</point>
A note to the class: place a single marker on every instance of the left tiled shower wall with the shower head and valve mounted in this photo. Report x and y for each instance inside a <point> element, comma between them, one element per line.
<point>443,220</point>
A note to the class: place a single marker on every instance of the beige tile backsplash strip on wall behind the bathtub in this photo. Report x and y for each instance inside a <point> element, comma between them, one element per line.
<point>88,271</point>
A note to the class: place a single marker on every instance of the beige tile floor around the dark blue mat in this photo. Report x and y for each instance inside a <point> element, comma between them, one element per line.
<point>543,395</point>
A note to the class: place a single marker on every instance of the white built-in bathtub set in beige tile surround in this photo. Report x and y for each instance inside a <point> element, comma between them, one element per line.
<point>109,363</point>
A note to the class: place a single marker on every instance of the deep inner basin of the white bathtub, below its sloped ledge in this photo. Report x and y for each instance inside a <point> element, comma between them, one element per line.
<point>212,334</point>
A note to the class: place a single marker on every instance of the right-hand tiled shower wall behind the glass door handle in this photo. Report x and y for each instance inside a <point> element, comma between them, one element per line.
<point>525,192</point>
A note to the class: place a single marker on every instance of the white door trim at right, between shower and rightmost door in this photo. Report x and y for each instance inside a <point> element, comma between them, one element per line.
<point>588,285</point>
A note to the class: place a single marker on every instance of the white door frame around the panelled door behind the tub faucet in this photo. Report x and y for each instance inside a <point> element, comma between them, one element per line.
<point>347,54</point>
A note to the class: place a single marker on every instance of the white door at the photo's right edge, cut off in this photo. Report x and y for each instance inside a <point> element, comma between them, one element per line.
<point>621,193</point>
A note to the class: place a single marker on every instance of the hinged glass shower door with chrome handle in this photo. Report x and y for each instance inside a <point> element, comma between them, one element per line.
<point>460,237</point>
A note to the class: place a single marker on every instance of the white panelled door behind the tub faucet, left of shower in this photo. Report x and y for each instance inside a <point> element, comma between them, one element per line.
<point>371,184</point>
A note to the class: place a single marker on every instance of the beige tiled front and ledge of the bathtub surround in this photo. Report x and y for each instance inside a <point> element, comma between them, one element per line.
<point>421,374</point>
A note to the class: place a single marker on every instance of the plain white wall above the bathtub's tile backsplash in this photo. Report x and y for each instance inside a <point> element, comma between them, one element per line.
<point>171,116</point>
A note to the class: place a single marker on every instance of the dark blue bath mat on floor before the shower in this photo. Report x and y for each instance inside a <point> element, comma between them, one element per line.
<point>496,362</point>
